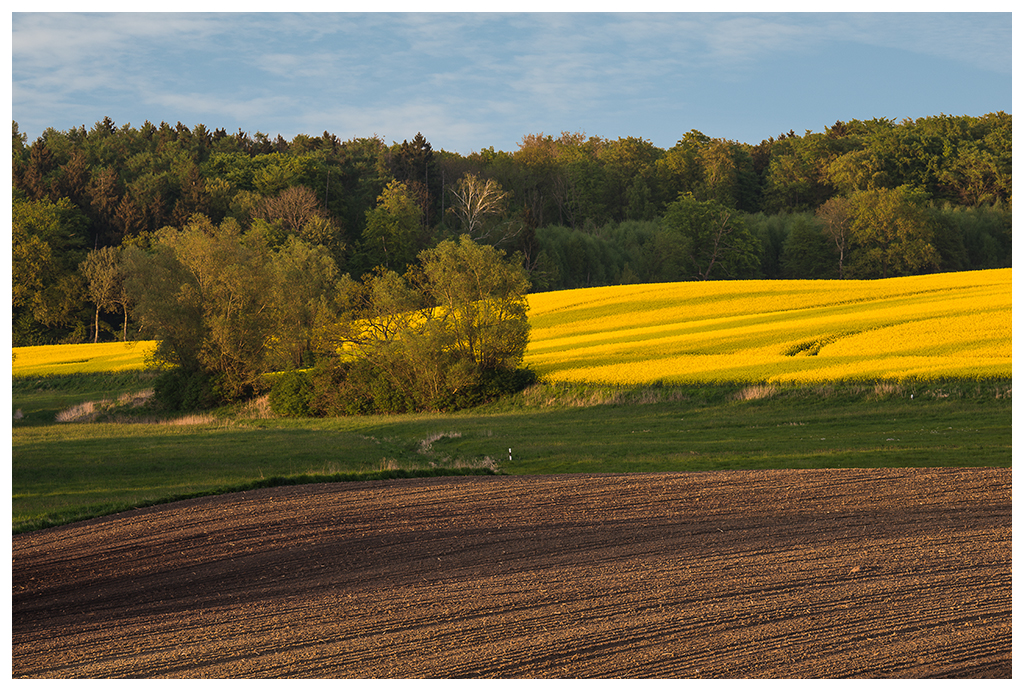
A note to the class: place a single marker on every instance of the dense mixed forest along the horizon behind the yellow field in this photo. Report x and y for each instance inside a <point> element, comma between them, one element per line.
<point>862,199</point>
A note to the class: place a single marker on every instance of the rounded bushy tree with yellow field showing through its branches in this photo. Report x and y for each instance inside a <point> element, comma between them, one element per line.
<point>432,340</point>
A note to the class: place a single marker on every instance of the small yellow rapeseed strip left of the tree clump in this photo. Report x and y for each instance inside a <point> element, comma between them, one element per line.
<point>82,358</point>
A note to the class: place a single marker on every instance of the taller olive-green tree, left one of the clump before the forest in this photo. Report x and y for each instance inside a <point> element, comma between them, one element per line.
<point>223,304</point>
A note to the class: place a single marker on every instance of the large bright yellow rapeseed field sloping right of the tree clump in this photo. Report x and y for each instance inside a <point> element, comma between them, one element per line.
<point>918,328</point>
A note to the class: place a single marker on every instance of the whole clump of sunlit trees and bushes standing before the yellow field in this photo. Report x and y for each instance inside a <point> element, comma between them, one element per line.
<point>229,306</point>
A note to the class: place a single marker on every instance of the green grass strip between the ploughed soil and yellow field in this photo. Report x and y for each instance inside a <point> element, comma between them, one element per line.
<point>66,472</point>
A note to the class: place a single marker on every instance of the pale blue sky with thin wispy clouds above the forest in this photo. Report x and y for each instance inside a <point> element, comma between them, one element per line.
<point>468,81</point>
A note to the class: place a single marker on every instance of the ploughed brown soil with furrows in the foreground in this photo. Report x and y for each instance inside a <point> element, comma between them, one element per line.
<point>741,575</point>
